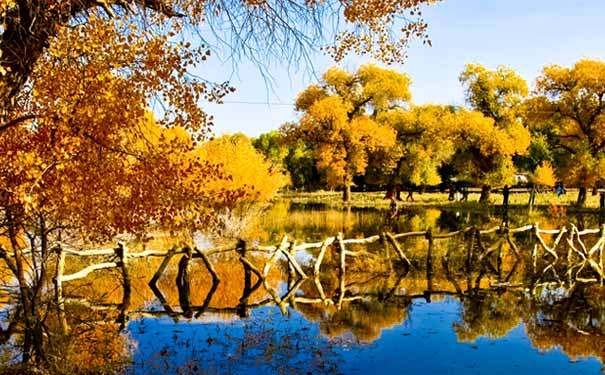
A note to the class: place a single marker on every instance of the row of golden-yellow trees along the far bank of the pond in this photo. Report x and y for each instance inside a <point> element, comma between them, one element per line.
<point>362,129</point>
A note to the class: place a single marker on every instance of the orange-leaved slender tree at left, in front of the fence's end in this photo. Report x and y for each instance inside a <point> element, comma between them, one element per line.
<point>90,164</point>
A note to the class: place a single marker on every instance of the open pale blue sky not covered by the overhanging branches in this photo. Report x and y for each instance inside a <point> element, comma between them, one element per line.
<point>524,35</point>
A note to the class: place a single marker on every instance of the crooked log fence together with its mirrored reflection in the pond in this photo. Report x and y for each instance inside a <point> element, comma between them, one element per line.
<point>572,265</point>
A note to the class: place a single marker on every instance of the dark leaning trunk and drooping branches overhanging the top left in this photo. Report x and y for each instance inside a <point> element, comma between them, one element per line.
<point>30,28</point>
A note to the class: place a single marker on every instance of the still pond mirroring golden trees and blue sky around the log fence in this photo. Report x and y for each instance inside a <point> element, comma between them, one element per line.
<point>472,303</point>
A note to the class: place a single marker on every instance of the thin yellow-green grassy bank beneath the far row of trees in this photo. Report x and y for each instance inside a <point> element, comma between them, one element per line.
<point>517,200</point>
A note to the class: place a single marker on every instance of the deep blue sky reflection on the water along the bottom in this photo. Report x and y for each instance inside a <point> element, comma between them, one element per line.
<point>269,343</point>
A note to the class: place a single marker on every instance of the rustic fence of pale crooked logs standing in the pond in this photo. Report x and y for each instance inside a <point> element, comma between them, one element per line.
<point>579,257</point>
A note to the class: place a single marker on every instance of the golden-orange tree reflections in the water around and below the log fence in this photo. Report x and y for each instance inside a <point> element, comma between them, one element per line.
<point>491,272</point>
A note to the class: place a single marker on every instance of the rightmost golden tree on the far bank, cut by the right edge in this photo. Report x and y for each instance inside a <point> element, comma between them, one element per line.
<point>568,108</point>
